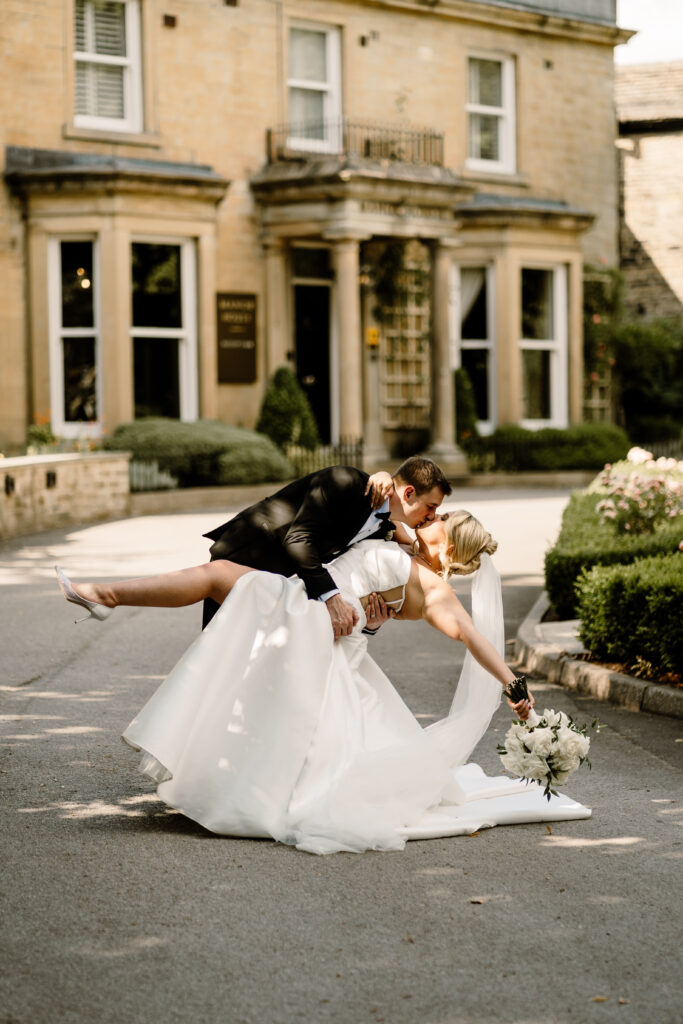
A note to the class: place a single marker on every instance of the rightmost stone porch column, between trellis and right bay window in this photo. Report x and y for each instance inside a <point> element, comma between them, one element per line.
<point>444,449</point>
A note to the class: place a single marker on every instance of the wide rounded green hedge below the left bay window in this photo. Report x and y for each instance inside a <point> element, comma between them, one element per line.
<point>204,453</point>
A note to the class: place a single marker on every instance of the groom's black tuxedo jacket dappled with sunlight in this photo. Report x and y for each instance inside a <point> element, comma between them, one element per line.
<point>296,530</point>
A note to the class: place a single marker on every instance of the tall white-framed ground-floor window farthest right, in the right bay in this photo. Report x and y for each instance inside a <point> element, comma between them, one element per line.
<point>544,347</point>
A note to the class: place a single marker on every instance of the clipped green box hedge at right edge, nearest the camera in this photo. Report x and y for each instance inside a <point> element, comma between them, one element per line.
<point>632,613</point>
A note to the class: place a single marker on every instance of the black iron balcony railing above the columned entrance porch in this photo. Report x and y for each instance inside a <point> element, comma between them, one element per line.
<point>406,145</point>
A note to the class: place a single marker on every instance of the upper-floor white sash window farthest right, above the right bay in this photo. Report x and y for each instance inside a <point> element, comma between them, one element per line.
<point>491,114</point>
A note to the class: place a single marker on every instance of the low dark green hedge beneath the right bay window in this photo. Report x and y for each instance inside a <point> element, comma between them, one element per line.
<point>589,446</point>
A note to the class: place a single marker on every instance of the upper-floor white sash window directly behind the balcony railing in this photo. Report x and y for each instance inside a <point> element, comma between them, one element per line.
<point>315,89</point>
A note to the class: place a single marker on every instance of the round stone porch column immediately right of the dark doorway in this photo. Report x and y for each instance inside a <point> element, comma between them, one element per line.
<point>350,362</point>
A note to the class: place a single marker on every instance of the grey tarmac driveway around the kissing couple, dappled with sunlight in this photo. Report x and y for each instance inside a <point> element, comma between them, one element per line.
<point>116,910</point>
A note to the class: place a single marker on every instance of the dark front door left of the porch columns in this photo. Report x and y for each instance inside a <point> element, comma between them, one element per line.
<point>312,328</point>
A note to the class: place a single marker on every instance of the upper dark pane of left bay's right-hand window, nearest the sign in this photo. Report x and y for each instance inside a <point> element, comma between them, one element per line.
<point>156,278</point>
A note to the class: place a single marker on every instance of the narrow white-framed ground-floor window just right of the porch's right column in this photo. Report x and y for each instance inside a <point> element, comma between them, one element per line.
<point>477,340</point>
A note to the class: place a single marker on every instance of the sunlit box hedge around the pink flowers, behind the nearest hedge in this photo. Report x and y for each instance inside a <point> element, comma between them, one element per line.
<point>585,542</point>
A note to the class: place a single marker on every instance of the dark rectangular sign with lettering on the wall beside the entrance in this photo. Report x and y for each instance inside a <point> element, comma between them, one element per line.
<point>236,322</point>
